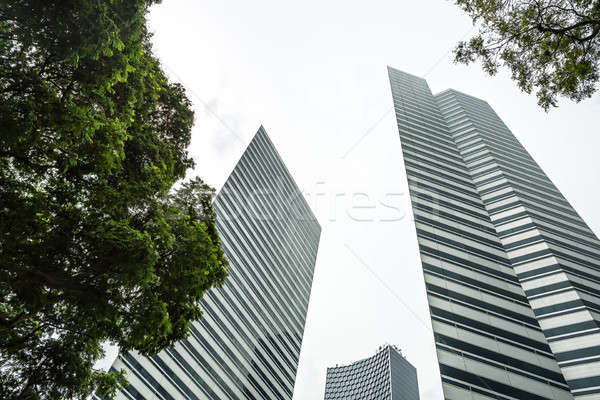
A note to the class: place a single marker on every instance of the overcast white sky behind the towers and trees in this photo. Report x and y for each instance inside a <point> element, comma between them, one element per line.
<point>314,74</point>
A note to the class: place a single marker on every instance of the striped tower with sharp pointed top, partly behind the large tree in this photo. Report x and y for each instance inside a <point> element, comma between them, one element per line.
<point>248,343</point>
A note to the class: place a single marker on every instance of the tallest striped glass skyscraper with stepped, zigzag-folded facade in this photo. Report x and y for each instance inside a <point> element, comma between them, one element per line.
<point>511,270</point>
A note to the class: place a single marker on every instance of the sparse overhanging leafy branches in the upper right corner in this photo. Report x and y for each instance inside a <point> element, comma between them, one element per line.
<point>552,46</point>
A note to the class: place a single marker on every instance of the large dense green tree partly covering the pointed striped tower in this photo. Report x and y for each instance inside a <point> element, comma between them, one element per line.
<point>96,245</point>
